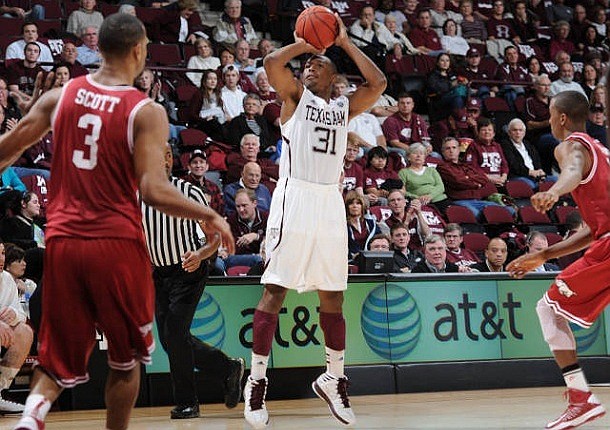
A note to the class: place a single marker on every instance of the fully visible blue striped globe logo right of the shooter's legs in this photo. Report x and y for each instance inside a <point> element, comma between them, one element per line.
<point>391,322</point>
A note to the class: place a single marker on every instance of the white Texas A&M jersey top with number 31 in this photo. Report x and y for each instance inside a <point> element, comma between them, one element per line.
<point>315,140</point>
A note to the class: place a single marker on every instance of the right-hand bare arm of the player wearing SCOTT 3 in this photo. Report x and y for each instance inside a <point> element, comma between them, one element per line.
<point>155,189</point>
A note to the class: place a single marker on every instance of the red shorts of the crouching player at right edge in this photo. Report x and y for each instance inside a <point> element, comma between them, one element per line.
<point>582,290</point>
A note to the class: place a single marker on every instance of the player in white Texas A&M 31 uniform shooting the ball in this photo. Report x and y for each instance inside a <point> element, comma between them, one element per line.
<point>306,238</point>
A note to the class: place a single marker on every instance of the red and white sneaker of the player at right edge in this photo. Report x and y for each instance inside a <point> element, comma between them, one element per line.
<point>583,407</point>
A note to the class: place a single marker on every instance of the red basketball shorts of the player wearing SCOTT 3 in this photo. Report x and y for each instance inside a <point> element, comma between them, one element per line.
<point>88,284</point>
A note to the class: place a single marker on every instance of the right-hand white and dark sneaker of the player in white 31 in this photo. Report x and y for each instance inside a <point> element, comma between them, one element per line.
<point>334,392</point>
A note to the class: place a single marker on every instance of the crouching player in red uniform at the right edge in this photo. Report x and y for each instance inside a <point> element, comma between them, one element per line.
<point>580,292</point>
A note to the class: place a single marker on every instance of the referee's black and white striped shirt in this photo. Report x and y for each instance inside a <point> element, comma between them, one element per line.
<point>168,237</point>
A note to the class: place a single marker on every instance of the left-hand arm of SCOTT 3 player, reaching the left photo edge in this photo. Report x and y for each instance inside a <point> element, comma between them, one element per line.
<point>29,130</point>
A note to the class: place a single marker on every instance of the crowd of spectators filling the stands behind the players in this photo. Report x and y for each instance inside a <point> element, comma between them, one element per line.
<point>464,124</point>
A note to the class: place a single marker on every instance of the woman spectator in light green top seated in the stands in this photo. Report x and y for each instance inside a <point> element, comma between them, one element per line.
<point>422,182</point>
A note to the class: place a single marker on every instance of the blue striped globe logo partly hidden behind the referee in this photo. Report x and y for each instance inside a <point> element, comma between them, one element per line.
<point>208,322</point>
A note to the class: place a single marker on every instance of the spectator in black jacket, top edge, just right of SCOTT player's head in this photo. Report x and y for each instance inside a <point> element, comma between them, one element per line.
<point>179,24</point>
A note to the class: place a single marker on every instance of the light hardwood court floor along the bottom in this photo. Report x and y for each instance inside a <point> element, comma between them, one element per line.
<point>494,409</point>
